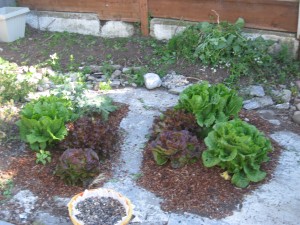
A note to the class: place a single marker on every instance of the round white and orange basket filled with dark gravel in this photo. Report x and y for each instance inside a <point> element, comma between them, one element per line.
<point>100,207</point>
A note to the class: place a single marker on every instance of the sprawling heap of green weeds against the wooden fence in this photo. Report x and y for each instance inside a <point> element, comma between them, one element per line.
<point>224,45</point>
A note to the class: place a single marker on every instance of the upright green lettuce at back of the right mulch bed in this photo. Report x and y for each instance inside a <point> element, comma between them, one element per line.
<point>210,103</point>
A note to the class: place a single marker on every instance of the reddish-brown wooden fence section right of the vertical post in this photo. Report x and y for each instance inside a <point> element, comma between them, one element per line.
<point>263,14</point>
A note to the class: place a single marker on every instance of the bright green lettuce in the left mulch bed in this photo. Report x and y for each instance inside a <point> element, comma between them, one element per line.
<point>43,121</point>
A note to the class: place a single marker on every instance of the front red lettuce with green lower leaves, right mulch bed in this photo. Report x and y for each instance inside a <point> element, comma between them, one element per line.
<point>180,147</point>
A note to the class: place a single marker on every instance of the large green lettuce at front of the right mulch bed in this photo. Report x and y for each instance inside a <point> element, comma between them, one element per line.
<point>240,149</point>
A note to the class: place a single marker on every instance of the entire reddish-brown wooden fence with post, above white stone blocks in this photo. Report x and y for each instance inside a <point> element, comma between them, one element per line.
<point>278,15</point>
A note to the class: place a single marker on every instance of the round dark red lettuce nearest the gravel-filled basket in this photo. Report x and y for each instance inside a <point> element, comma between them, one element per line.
<point>77,165</point>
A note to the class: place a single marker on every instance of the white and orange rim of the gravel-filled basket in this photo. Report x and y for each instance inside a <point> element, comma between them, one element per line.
<point>100,192</point>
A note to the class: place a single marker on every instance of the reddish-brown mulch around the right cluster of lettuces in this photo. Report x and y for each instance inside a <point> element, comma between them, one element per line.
<point>200,190</point>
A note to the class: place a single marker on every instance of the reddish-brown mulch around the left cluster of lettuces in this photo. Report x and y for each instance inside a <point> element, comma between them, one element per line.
<point>41,179</point>
